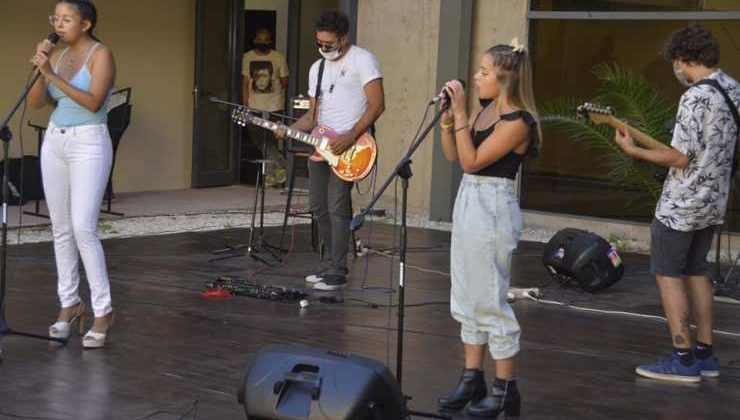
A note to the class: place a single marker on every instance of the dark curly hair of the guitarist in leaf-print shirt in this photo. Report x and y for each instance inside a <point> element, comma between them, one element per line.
<point>694,44</point>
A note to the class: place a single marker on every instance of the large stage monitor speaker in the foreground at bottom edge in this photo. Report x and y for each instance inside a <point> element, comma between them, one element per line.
<point>292,382</point>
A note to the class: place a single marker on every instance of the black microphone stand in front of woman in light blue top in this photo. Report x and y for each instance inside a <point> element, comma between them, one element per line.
<point>6,136</point>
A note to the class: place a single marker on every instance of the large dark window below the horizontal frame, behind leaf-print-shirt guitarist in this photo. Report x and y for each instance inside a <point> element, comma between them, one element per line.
<point>568,177</point>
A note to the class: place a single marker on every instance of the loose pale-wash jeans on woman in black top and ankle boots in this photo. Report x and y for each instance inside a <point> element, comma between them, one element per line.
<point>486,226</point>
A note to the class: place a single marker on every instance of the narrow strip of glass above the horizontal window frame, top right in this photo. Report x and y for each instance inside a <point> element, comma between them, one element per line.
<point>635,5</point>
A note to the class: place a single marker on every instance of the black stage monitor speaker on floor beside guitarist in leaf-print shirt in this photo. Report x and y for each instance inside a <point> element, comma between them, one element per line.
<point>582,259</point>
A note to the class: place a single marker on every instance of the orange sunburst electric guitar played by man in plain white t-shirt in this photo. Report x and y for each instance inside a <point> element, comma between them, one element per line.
<point>353,165</point>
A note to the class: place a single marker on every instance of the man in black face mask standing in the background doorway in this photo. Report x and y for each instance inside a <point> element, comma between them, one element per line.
<point>264,79</point>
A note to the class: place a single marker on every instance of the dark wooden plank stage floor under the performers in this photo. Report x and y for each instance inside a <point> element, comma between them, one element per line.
<point>176,355</point>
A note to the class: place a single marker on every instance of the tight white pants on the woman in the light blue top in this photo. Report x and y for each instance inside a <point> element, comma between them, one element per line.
<point>75,164</point>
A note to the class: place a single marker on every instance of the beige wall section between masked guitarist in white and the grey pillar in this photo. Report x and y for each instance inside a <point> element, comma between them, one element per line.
<point>403,35</point>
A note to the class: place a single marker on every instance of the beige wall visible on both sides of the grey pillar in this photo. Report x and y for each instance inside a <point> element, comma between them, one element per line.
<point>404,37</point>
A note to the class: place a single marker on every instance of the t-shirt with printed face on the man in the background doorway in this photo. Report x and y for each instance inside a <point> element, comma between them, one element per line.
<point>264,71</point>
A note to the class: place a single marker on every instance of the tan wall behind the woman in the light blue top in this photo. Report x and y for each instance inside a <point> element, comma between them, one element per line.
<point>153,44</point>
